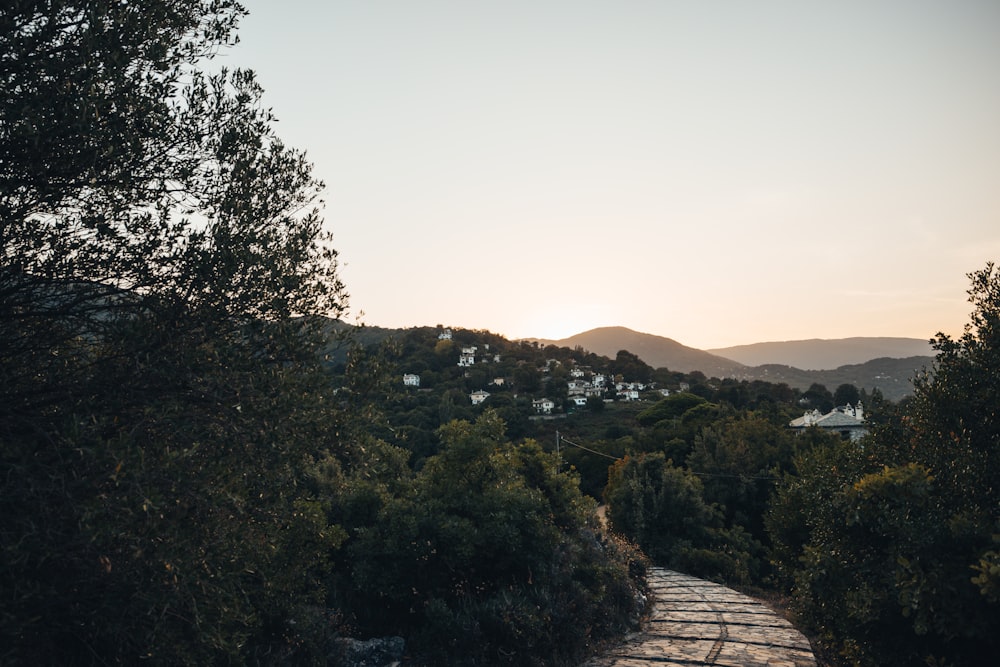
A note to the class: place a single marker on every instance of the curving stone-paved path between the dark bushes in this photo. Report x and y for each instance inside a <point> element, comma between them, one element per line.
<point>696,622</point>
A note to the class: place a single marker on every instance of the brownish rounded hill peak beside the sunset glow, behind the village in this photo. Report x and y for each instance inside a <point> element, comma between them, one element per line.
<point>657,351</point>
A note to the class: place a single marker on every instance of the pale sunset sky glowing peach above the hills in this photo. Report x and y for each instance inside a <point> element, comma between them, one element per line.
<point>719,173</point>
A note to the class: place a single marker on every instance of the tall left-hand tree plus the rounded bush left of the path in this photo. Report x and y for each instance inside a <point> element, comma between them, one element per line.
<point>182,481</point>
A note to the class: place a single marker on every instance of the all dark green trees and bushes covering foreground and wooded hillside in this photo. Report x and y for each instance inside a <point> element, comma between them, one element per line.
<point>201,465</point>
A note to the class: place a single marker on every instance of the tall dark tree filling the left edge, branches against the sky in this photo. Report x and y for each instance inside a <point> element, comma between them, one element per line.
<point>162,268</point>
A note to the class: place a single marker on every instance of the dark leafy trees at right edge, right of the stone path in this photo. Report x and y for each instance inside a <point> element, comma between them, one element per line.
<point>897,534</point>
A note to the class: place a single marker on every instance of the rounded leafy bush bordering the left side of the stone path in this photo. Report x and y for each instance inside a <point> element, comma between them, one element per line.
<point>490,556</point>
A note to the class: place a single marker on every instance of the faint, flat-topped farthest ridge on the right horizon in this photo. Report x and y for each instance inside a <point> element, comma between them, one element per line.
<point>821,354</point>
